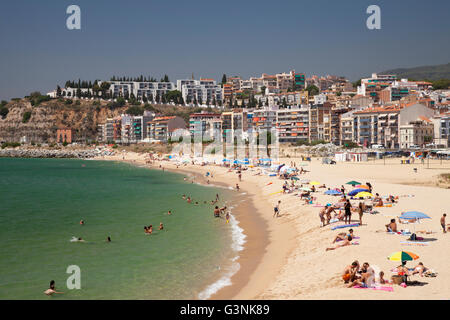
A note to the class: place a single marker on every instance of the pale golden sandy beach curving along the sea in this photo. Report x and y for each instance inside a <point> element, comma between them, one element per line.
<point>285,257</point>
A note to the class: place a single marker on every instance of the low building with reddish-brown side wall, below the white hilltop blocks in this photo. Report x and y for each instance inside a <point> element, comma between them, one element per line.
<point>161,128</point>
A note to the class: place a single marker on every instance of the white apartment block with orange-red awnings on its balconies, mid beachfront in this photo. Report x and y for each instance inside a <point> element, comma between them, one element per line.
<point>292,125</point>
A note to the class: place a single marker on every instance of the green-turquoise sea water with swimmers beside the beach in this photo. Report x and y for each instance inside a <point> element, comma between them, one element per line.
<point>43,200</point>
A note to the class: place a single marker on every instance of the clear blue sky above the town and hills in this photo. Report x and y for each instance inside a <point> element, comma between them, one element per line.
<point>210,38</point>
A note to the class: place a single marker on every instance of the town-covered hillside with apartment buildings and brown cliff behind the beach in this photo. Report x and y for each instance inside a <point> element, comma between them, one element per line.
<point>383,110</point>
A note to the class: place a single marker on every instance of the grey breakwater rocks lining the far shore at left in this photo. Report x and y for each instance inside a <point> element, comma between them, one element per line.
<point>42,153</point>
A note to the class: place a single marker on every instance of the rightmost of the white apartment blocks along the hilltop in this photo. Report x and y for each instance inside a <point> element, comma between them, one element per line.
<point>203,91</point>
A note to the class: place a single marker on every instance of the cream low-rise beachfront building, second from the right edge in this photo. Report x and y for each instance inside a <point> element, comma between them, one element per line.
<point>416,133</point>
